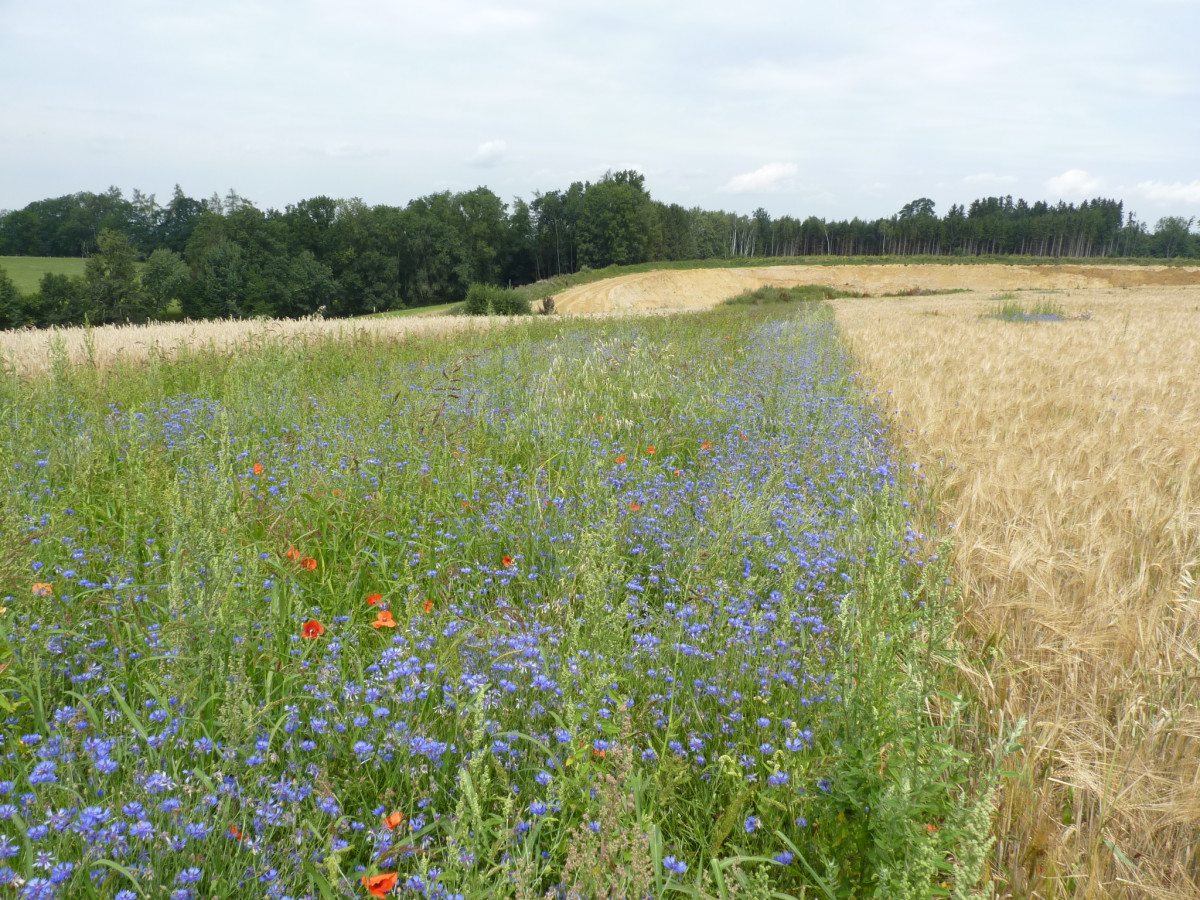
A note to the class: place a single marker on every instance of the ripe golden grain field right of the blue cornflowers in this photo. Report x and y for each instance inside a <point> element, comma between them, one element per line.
<point>1067,454</point>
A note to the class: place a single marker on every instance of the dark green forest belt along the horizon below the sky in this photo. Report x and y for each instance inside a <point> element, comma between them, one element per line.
<point>225,257</point>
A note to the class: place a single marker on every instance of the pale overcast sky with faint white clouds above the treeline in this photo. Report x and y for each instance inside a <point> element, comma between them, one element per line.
<point>831,109</point>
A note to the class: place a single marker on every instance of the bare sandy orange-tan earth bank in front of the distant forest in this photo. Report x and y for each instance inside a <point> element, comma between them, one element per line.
<point>707,287</point>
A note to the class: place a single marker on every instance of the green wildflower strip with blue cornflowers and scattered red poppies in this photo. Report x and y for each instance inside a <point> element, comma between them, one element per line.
<point>619,609</point>
